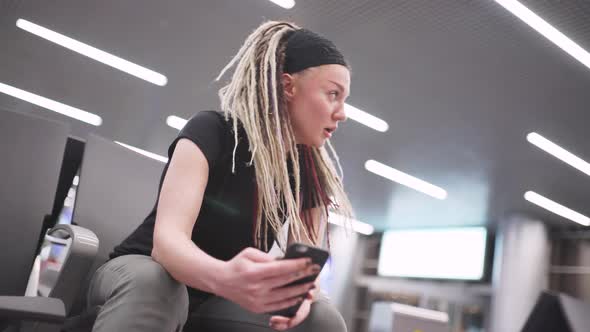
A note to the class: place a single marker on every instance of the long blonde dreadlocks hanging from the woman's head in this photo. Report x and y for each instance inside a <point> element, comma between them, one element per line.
<point>254,97</point>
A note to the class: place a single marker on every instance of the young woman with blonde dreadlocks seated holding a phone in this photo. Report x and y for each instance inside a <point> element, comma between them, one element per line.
<point>233,179</point>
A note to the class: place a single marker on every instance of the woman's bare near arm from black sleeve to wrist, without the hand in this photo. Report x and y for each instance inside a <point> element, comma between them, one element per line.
<point>179,204</point>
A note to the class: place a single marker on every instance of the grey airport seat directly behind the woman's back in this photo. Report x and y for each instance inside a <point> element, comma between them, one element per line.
<point>116,191</point>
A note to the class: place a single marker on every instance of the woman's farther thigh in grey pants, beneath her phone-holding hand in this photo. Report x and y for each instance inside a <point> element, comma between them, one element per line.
<point>217,314</point>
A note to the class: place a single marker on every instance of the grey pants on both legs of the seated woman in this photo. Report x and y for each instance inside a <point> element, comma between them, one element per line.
<point>135,293</point>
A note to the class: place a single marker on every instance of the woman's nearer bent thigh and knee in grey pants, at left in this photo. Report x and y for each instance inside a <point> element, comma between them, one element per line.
<point>135,293</point>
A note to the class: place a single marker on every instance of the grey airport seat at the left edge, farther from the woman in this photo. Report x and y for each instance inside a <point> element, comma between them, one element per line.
<point>31,150</point>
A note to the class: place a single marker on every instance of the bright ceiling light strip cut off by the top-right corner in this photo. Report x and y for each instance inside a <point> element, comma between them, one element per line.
<point>547,30</point>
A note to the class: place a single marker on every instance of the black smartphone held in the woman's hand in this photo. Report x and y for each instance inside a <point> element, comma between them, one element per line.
<point>299,250</point>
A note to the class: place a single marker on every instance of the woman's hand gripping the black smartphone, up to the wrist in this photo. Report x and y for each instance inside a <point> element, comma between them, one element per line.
<point>254,280</point>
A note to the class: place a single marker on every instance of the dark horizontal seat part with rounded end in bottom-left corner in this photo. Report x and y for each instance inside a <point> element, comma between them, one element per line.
<point>38,309</point>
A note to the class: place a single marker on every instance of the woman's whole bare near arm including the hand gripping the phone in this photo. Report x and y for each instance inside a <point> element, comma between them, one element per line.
<point>252,279</point>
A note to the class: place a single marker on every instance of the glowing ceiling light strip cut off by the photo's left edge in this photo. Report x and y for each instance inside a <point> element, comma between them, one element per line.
<point>51,105</point>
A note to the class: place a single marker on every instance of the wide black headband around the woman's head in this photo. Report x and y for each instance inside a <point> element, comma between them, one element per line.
<point>307,49</point>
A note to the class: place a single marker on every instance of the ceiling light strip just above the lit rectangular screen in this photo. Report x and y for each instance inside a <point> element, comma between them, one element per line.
<point>405,179</point>
